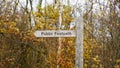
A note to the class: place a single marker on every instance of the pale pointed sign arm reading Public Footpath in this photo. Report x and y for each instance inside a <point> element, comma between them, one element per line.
<point>55,33</point>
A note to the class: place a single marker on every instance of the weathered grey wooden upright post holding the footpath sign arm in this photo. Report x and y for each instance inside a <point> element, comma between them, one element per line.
<point>79,42</point>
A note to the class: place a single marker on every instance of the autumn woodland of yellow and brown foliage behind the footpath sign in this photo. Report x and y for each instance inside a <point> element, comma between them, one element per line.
<point>19,48</point>
